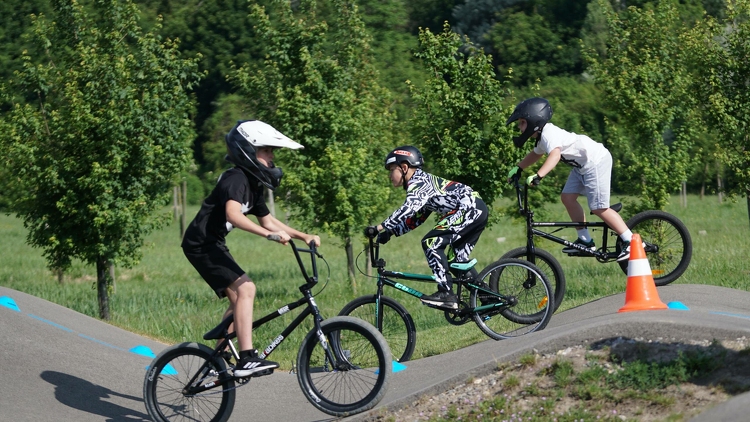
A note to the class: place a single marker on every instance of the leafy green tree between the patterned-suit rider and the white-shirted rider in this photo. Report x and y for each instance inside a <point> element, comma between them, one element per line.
<point>461,114</point>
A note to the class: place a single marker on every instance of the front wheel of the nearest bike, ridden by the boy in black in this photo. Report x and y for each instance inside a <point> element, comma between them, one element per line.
<point>358,381</point>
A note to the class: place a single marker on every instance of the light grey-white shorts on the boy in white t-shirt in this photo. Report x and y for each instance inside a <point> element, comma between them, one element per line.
<point>592,180</point>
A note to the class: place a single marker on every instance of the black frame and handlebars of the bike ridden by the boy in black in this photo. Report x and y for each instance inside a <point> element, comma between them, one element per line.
<point>221,331</point>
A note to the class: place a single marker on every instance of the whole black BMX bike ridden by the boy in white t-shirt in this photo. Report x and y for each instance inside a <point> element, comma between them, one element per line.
<point>667,243</point>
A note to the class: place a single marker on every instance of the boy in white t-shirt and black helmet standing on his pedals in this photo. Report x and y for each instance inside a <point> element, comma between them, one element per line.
<point>591,170</point>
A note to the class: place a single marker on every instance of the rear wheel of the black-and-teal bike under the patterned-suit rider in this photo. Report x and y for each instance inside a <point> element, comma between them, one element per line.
<point>533,299</point>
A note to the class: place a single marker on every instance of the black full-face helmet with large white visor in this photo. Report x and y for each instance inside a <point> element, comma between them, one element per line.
<point>242,143</point>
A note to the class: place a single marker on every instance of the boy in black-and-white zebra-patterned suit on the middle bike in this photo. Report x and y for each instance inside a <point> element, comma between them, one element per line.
<point>463,218</point>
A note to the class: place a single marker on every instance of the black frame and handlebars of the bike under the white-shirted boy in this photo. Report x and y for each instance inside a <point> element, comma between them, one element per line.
<point>603,254</point>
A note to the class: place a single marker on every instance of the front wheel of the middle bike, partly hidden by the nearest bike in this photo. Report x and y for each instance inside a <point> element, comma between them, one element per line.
<point>397,326</point>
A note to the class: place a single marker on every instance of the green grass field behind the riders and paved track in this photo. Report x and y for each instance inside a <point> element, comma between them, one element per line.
<point>164,298</point>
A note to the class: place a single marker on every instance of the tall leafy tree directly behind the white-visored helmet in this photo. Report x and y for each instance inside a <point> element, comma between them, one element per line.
<point>318,86</point>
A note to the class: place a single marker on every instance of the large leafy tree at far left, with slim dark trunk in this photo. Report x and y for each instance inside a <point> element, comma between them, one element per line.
<point>95,154</point>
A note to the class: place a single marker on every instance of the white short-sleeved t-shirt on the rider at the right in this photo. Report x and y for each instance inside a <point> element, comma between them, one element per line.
<point>576,150</point>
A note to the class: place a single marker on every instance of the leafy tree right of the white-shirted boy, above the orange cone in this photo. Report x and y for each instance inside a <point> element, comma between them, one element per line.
<point>645,80</point>
